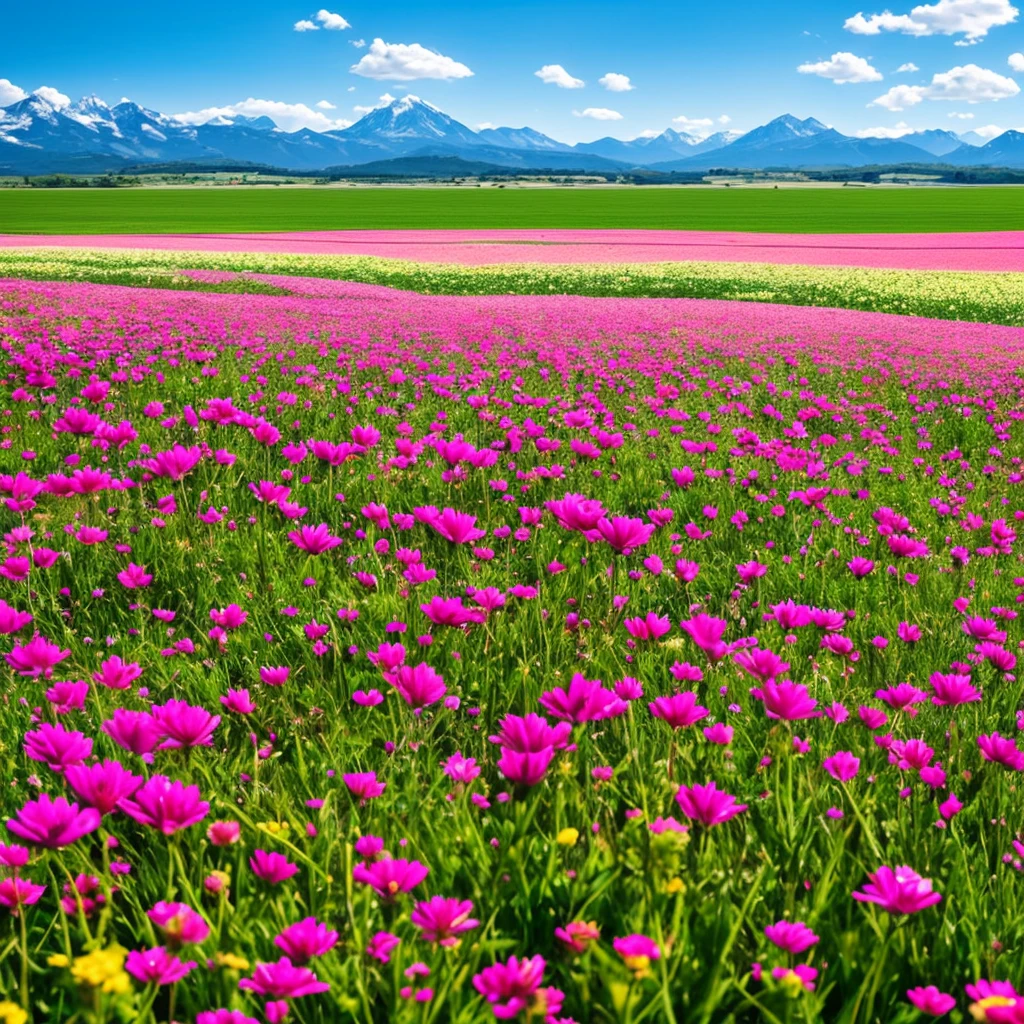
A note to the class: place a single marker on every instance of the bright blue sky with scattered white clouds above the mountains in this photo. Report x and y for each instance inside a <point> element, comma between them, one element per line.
<point>699,62</point>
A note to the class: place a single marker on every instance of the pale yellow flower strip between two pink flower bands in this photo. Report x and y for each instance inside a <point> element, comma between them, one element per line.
<point>956,295</point>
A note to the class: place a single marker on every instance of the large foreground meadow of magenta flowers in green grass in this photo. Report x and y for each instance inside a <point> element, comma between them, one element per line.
<point>378,657</point>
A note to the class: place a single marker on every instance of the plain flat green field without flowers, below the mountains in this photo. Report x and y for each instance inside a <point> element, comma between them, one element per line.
<point>212,210</point>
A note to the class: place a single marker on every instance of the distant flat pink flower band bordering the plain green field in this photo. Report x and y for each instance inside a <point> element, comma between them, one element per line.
<point>967,251</point>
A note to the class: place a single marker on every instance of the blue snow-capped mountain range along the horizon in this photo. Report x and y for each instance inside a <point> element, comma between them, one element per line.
<point>39,137</point>
